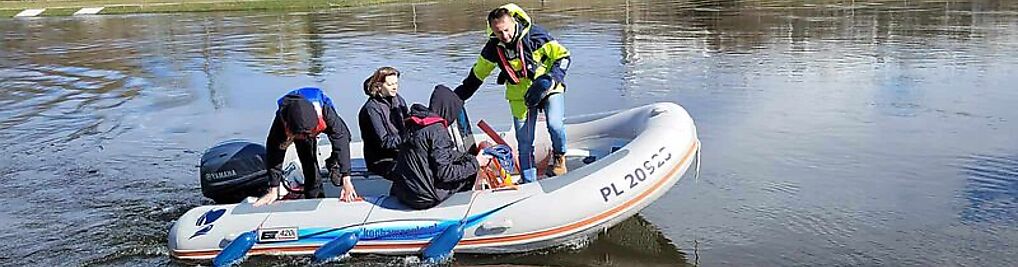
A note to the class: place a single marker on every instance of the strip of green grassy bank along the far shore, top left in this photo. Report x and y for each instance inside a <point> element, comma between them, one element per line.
<point>69,8</point>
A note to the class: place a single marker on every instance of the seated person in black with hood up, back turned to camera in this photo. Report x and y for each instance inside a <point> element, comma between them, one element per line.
<point>429,169</point>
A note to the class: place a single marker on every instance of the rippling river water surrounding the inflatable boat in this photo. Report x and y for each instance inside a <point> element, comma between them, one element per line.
<point>834,132</point>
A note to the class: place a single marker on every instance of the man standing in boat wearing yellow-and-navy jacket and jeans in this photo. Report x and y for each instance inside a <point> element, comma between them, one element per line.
<point>533,67</point>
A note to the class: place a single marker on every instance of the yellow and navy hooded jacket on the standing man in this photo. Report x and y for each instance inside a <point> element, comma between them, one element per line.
<point>541,56</point>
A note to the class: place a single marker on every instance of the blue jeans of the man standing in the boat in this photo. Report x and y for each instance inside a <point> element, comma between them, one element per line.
<point>555,112</point>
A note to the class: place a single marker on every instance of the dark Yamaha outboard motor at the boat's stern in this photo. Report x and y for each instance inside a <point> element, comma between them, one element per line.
<point>234,171</point>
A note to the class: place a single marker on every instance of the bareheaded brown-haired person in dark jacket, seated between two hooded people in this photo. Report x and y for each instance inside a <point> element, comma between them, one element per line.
<point>381,121</point>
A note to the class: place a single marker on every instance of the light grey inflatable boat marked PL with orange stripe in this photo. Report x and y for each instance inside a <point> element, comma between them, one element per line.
<point>619,164</point>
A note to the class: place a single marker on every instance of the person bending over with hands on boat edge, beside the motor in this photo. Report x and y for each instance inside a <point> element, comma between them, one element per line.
<point>303,116</point>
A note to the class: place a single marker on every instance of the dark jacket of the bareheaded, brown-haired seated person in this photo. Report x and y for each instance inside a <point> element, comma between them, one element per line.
<point>382,130</point>
